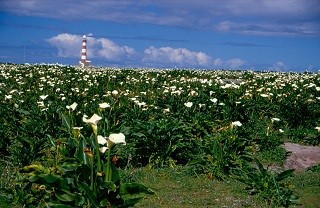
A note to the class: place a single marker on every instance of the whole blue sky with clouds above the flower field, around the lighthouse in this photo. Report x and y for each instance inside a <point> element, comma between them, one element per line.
<point>281,35</point>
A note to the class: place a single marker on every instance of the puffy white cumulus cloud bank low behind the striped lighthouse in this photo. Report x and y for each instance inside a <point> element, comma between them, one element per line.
<point>103,49</point>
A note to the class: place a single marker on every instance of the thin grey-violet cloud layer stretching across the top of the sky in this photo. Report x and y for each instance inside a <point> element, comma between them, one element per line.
<point>263,17</point>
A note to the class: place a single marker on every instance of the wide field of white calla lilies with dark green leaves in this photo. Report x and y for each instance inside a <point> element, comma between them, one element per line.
<point>70,130</point>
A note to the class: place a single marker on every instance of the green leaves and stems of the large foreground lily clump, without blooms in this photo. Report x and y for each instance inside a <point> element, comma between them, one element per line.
<point>79,175</point>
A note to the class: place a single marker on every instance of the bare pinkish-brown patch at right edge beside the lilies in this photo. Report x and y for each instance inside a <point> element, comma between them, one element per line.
<point>301,157</point>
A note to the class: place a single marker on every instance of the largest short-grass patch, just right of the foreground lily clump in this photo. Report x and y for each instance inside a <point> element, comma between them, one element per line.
<point>176,188</point>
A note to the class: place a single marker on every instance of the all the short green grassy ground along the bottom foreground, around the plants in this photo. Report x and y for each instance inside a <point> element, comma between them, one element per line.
<point>177,188</point>
